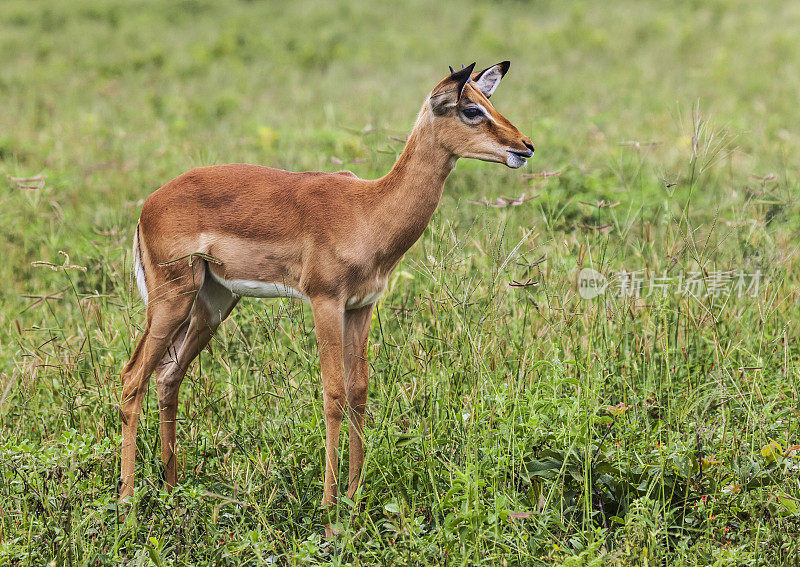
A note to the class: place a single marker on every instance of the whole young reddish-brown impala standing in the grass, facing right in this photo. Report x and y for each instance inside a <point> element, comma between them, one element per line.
<point>215,234</point>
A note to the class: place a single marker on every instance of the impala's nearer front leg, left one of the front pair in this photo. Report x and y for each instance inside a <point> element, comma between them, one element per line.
<point>328,318</point>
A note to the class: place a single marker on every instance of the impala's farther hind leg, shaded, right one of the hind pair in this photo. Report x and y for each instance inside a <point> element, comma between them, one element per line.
<point>214,303</point>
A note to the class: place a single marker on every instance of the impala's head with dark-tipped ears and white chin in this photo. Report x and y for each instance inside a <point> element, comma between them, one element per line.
<point>467,124</point>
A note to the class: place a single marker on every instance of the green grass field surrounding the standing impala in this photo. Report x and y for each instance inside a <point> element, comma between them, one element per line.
<point>507,424</point>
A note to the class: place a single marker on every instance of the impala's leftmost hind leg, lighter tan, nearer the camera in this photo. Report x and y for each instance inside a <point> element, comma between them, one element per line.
<point>164,319</point>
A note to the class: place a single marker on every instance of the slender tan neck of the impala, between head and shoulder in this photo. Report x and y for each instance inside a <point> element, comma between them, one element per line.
<point>413,188</point>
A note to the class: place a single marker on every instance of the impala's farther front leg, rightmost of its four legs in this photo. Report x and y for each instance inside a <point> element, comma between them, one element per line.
<point>356,332</point>
